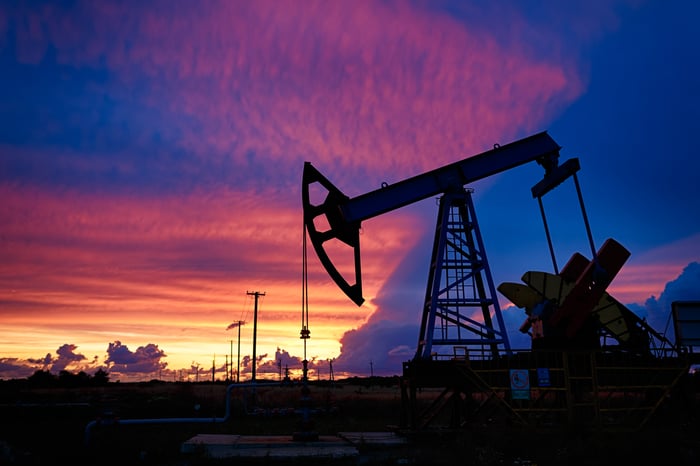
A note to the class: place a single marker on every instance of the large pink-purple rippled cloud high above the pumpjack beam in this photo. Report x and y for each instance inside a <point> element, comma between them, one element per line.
<point>389,85</point>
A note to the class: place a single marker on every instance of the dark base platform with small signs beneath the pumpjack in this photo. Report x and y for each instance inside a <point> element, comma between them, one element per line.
<point>601,391</point>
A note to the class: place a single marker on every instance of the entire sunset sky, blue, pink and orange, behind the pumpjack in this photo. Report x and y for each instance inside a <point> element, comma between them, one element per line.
<point>151,156</point>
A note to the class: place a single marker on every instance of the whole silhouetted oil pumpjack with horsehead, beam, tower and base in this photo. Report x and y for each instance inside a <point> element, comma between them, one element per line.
<point>463,345</point>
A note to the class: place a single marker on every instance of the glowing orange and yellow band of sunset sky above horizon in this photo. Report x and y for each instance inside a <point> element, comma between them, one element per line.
<point>86,291</point>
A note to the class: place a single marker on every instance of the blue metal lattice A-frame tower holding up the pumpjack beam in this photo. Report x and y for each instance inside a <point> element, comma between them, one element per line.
<point>461,309</point>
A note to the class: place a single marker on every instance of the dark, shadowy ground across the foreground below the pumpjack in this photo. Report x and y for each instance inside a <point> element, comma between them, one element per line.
<point>91,425</point>
